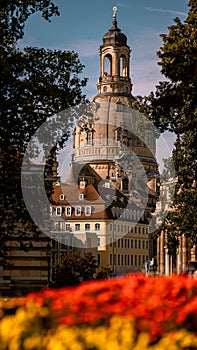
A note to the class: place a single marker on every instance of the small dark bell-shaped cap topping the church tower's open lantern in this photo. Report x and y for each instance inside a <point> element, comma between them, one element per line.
<point>114,36</point>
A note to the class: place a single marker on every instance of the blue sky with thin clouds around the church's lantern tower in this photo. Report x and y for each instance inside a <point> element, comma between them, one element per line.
<point>82,24</point>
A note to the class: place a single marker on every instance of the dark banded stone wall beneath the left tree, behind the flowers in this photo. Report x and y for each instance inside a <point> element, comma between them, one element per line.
<point>29,265</point>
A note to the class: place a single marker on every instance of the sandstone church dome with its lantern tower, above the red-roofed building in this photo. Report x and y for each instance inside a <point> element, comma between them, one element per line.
<point>109,140</point>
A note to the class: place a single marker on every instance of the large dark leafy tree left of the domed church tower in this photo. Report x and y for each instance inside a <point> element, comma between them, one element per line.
<point>35,84</point>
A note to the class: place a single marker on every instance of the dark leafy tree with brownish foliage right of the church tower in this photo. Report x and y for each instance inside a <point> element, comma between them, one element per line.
<point>173,107</point>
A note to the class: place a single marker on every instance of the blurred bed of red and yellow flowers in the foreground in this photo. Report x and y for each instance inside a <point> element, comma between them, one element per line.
<point>134,312</point>
